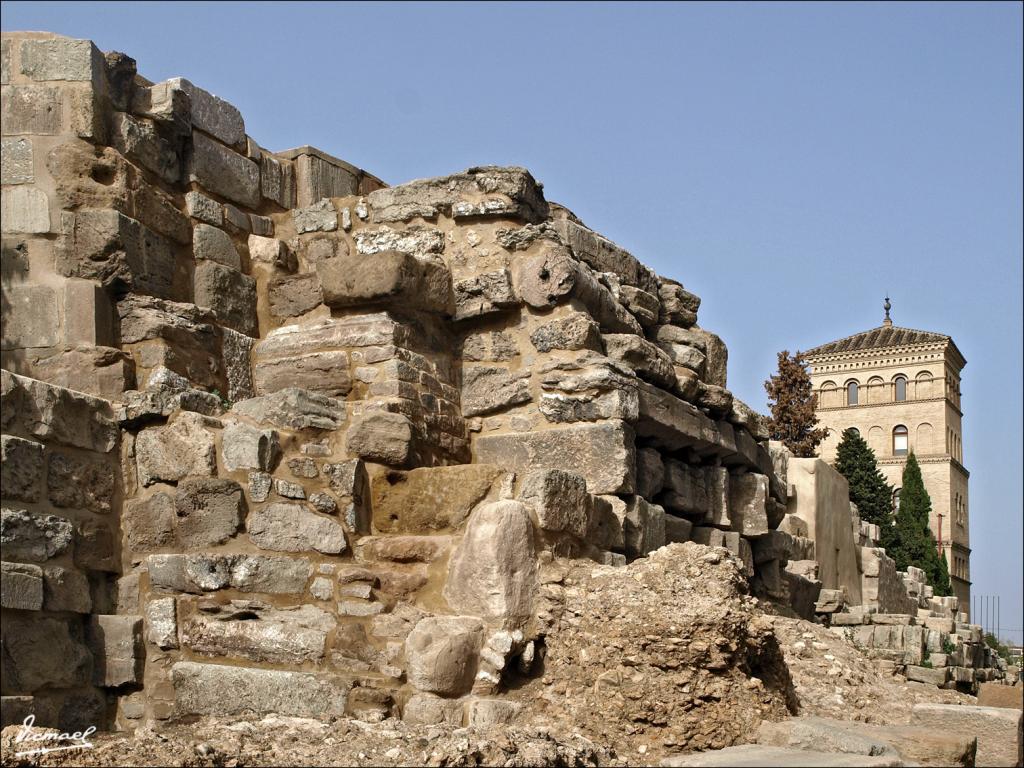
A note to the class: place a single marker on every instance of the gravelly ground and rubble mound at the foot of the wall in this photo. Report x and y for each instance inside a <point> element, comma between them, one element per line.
<point>667,656</point>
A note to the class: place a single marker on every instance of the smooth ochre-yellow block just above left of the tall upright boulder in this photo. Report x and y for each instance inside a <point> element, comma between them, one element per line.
<point>431,499</point>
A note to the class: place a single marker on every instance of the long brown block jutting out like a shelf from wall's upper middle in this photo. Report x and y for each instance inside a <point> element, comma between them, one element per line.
<point>391,277</point>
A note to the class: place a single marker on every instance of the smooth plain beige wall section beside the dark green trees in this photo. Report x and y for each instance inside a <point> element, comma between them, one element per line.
<point>822,499</point>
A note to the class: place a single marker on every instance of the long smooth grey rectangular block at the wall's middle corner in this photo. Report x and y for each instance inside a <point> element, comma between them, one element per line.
<point>603,453</point>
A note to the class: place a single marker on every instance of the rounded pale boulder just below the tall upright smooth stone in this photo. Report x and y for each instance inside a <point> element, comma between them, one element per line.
<point>442,654</point>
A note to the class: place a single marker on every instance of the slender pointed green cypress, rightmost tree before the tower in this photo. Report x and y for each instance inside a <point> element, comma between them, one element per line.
<point>912,542</point>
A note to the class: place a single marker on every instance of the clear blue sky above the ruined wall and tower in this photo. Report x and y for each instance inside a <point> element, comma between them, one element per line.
<point>789,163</point>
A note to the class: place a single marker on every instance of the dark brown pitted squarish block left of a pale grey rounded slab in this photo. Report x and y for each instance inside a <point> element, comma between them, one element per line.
<point>208,511</point>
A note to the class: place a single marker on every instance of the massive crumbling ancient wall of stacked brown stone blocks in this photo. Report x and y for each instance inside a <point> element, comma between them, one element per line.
<point>279,438</point>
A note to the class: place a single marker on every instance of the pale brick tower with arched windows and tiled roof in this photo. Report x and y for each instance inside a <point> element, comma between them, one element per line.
<point>901,389</point>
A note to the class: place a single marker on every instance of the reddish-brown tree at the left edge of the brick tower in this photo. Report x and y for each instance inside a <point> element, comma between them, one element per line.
<point>792,402</point>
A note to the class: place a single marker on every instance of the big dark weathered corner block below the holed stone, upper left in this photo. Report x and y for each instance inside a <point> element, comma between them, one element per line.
<point>118,252</point>
